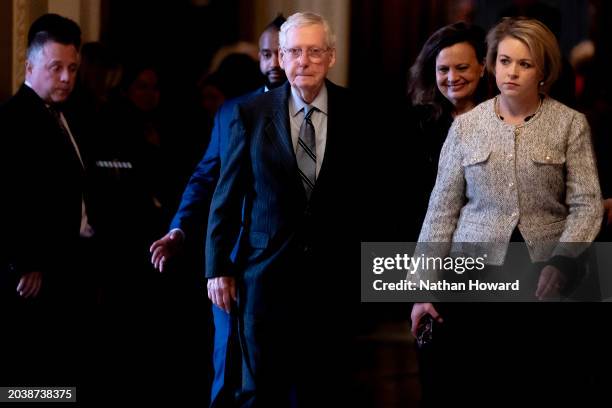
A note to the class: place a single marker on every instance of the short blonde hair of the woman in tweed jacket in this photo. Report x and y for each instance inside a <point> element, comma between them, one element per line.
<point>540,41</point>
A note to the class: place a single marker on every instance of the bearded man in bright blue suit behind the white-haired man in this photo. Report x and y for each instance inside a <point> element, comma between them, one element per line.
<point>188,225</point>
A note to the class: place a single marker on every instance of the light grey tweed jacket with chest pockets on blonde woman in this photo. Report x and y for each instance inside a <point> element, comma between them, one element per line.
<point>493,176</point>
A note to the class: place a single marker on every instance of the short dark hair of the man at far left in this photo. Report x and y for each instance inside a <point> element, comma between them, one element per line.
<point>53,27</point>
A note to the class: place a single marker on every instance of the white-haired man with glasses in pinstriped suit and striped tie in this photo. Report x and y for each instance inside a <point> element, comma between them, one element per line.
<point>283,188</point>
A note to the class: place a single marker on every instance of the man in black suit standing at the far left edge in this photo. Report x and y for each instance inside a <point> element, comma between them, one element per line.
<point>43,185</point>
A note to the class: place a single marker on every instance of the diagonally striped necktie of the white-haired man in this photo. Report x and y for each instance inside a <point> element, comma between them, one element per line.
<point>306,152</point>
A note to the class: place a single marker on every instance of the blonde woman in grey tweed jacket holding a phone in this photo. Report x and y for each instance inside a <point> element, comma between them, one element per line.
<point>517,167</point>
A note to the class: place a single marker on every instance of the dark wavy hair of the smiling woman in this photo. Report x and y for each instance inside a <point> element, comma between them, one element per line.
<point>422,87</point>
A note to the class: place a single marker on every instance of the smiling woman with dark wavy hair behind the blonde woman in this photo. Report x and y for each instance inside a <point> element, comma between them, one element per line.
<point>446,80</point>
